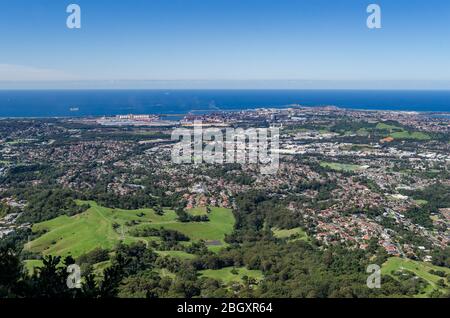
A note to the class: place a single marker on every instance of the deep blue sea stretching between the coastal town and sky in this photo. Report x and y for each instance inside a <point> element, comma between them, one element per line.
<point>56,103</point>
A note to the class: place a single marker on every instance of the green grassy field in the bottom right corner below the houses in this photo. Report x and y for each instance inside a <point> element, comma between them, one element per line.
<point>421,269</point>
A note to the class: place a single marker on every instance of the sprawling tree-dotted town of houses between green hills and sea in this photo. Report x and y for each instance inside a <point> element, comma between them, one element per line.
<point>366,180</point>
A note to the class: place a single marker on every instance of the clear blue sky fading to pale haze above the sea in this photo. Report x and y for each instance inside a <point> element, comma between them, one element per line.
<point>226,41</point>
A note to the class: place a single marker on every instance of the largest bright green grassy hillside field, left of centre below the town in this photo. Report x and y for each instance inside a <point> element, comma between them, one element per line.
<point>93,228</point>
